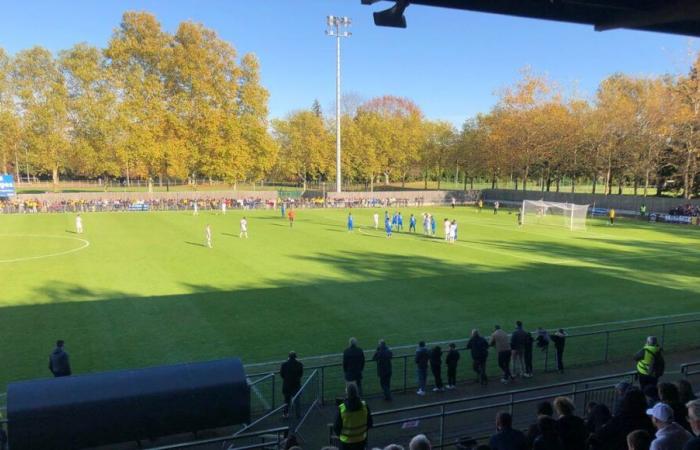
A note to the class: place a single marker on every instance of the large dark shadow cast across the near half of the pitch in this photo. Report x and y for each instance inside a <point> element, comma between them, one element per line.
<point>374,295</point>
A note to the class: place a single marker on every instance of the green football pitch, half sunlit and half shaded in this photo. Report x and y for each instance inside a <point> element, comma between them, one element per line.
<point>139,289</point>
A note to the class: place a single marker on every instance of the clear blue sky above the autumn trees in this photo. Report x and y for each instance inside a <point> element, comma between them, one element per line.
<point>452,63</point>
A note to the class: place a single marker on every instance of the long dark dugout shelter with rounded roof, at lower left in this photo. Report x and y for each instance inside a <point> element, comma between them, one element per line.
<point>105,408</point>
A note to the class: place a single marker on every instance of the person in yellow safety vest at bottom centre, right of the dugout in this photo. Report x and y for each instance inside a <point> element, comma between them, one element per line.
<point>353,420</point>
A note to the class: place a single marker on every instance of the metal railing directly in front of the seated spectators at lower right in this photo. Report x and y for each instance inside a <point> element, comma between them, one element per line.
<point>443,422</point>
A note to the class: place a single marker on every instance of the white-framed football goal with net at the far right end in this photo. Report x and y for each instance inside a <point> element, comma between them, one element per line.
<point>567,215</point>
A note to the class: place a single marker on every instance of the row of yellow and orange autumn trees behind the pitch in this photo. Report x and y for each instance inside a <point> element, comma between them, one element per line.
<point>157,106</point>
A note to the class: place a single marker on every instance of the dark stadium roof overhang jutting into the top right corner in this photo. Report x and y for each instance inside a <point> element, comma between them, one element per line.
<point>665,16</point>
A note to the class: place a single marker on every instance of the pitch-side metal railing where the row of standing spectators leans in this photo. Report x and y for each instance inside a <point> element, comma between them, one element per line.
<point>581,349</point>
